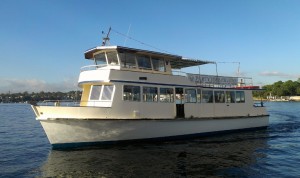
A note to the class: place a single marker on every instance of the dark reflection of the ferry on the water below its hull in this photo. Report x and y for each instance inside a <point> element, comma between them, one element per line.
<point>236,154</point>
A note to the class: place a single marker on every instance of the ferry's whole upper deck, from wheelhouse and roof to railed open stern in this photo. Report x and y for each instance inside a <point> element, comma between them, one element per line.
<point>150,62</point>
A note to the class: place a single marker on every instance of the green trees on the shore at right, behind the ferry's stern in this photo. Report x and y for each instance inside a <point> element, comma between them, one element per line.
<point>280,88</point>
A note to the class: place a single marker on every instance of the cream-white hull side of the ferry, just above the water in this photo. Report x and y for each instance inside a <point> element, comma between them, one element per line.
<point>64,132</point>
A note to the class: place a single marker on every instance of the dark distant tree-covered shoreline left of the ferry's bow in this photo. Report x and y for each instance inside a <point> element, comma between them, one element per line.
<point>40,96</point>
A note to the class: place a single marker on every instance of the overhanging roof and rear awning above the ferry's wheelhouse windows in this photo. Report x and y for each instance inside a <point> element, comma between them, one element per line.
<point>177,62</point>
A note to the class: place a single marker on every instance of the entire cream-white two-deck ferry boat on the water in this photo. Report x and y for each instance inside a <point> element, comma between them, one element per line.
<point>134,94</point>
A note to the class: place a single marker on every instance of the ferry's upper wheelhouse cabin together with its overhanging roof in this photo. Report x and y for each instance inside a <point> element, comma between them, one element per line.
<point>123,58</point>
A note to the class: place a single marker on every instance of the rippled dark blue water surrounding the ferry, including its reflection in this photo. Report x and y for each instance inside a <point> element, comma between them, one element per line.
<point>273,152</point>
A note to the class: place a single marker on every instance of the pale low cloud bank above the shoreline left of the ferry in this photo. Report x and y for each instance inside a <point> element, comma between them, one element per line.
<point>35,85</point>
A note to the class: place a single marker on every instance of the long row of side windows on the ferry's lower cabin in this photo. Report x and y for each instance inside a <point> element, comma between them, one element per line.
<point>166,95</point>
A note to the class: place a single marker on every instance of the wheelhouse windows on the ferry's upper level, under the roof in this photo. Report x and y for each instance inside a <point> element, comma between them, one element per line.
<point>130,60</point>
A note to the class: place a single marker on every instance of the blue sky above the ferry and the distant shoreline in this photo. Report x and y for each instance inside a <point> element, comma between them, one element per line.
<point>42,43</point>
